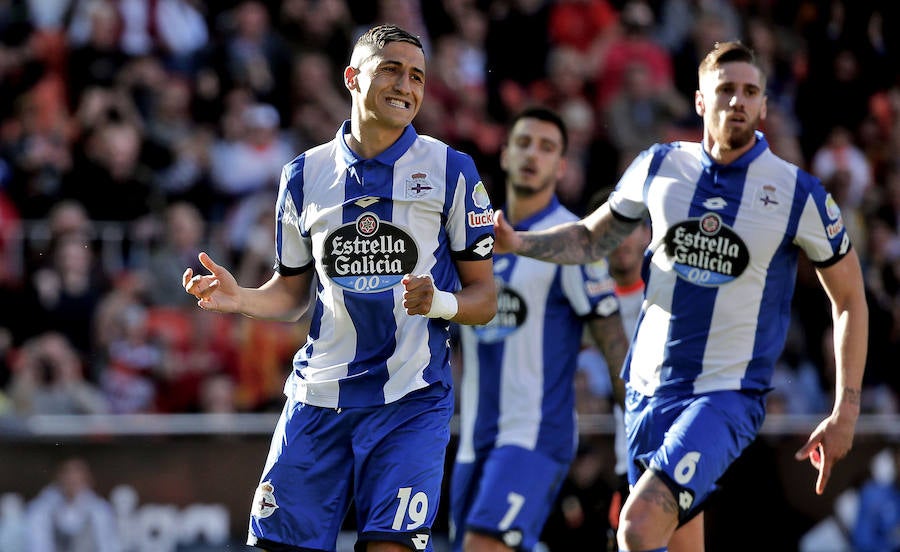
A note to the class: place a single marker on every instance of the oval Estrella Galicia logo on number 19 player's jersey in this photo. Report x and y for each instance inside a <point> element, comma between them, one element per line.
<point>369,254</point>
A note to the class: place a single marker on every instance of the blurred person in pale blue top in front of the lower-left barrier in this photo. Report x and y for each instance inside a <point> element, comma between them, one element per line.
<point>68,516</point>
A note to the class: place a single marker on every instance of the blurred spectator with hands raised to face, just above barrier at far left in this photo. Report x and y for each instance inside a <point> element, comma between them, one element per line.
<point>48,378</point>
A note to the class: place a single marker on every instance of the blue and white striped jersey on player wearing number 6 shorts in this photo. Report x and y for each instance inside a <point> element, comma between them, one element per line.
<point>721,265</point>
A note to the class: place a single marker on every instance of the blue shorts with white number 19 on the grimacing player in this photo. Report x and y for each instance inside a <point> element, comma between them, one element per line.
<point>388,459</point>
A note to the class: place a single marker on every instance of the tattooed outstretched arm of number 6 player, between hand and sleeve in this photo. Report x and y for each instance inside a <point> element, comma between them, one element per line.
<point>574,243</point>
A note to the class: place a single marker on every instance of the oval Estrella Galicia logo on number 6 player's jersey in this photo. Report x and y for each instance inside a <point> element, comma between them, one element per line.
<point>705,251</point>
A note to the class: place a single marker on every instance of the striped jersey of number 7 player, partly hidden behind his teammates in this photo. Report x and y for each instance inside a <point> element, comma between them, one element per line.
<point>517,379</point>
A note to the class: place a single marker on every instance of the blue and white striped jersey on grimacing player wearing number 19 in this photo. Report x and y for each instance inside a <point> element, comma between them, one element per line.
<point>364,224</point>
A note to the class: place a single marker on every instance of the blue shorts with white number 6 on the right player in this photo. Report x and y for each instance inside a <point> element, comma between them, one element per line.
<point>690,441</point>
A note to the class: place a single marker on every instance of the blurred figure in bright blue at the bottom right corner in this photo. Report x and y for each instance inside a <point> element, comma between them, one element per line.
<point>877,527</point>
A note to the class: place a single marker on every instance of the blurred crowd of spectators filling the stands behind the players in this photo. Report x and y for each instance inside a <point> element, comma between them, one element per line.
<point>135,133</point>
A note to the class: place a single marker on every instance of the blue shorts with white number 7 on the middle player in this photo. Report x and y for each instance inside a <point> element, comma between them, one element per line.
<point>506,494</point>
